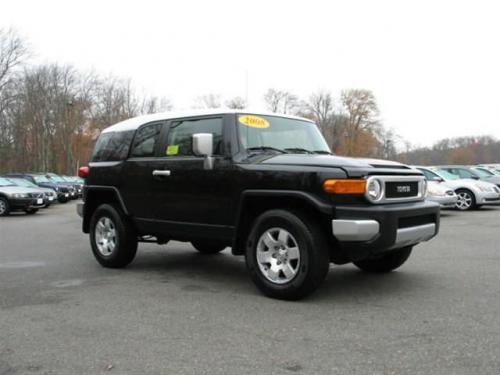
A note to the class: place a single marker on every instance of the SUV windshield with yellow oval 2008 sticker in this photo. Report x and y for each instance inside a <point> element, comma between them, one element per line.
<point>272,133</point>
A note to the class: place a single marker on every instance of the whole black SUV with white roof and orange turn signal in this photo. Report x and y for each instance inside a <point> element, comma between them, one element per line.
<point>265,185</point>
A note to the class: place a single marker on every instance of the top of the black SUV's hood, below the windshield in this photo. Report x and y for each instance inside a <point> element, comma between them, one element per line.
<point>331,161</point>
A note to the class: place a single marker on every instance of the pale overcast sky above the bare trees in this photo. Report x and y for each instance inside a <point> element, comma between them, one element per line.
<point>434,66</point>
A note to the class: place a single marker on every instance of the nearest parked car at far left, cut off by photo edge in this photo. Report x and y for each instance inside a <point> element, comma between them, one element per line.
<point>13,197</point>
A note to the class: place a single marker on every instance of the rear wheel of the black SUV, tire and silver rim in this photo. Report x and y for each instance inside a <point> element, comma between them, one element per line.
<point>112,237</point>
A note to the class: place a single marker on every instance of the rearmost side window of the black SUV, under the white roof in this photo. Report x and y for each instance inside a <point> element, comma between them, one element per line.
<point>112,146</point>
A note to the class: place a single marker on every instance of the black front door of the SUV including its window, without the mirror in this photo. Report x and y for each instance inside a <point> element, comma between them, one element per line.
<point>191,200</point>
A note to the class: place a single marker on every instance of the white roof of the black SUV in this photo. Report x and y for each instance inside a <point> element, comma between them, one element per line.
<point>134,122</point>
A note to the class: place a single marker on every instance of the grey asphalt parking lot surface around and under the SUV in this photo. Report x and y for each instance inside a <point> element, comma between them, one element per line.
<point>174,311</point>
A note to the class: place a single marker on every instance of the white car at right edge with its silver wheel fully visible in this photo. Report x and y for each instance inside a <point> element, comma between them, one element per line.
<point>472,194</point>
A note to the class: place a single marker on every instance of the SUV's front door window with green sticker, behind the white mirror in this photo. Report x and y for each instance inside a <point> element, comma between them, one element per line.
<point>179,140</point>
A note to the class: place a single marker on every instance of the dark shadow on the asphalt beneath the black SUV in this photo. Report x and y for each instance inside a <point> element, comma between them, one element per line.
<point>220,271</point>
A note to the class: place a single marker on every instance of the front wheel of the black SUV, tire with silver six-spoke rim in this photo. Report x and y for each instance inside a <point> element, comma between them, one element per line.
<point>287,254</point>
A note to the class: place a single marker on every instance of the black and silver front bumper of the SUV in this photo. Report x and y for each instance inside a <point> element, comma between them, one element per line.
<point>366,230</point>
